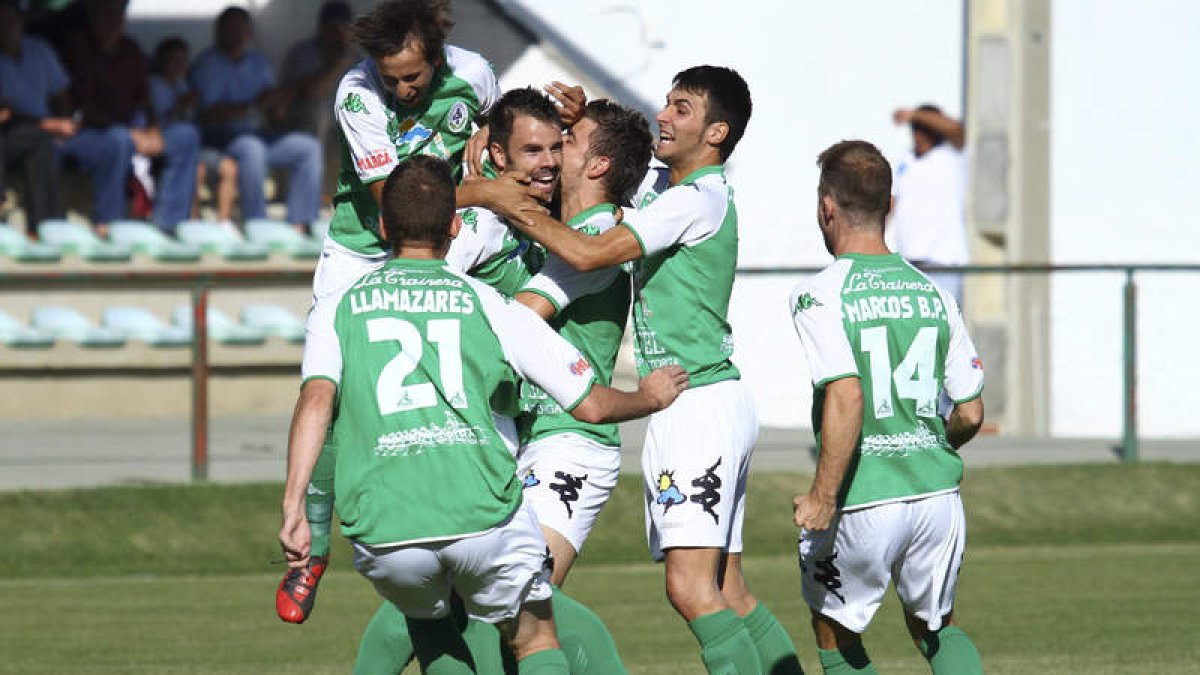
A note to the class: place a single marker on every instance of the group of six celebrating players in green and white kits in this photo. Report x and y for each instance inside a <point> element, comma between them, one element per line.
<point>485,254</point>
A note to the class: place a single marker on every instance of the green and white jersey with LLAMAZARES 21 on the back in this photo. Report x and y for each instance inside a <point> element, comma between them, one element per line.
<point>423,356</point>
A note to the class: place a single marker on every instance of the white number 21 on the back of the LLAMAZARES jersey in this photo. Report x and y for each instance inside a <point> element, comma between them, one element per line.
<point>392,393</point>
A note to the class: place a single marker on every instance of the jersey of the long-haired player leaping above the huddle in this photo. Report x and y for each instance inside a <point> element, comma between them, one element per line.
<point>379,133</point>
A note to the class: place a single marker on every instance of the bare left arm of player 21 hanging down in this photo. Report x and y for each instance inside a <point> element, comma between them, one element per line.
<point>310,421</point>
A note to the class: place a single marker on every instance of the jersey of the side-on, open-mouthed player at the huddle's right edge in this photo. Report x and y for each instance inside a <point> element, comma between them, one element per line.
<point>683,282</point>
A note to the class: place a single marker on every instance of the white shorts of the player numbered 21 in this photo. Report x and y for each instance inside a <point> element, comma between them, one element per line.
<point>495,574</point>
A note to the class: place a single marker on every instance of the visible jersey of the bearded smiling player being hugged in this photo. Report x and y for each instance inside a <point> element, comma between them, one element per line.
<point>494,253</point>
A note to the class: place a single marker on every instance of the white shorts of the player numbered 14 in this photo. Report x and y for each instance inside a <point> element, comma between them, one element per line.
<point>916,545</point>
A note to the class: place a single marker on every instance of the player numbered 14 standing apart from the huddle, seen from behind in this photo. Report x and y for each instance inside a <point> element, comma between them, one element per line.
<point>884,344</point>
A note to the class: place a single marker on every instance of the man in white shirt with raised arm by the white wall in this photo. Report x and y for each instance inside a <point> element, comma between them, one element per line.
<point>928,220</point>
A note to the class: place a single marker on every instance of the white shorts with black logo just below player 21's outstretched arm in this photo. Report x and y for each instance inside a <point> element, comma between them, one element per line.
<point>568,479</point>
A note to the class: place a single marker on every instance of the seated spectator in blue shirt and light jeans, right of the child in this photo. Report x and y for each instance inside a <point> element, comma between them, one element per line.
<point>237,89</point>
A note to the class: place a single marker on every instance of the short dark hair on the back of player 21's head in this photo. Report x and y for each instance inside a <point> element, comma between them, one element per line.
<point>418,204</point>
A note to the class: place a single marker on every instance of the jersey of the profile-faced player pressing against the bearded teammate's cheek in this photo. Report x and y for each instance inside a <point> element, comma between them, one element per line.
<point>595,324</point>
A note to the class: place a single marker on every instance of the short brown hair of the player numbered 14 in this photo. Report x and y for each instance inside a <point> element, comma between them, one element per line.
<point>859,178</point>
